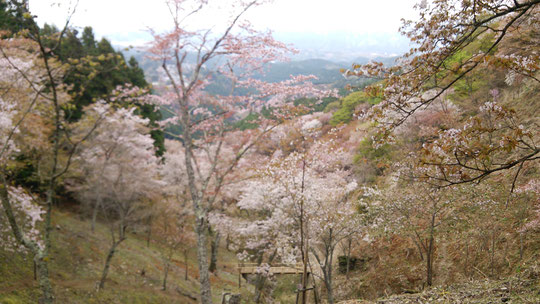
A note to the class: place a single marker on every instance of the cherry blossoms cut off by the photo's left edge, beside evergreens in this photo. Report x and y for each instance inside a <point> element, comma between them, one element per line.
<point>19,209</point>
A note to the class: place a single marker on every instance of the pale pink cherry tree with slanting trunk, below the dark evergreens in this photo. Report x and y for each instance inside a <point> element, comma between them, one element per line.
<point>119,169</point>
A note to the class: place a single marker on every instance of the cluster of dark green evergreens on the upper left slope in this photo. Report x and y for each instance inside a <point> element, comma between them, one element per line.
<point>96,68</point>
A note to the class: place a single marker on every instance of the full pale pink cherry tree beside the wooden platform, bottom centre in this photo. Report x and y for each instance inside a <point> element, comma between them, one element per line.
<point>300,202</point>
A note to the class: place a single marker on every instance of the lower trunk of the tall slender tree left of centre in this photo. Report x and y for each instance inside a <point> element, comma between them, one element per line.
<point>202,256</point>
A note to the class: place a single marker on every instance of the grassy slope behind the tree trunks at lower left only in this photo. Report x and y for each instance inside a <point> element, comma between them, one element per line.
<point>77,259</point>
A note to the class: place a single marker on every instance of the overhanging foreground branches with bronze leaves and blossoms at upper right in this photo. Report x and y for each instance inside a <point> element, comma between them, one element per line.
<point>452,41</point>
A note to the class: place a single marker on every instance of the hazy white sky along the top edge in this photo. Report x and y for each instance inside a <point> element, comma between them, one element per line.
<point>125,22</point>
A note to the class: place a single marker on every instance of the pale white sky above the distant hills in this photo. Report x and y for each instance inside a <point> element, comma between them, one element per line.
<point>356,26</point>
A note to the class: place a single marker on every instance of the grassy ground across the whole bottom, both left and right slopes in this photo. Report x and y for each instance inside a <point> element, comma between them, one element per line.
<point>79,257</point>
